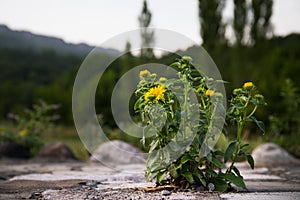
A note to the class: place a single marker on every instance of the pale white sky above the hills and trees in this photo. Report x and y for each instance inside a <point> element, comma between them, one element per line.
<point>95,21</point>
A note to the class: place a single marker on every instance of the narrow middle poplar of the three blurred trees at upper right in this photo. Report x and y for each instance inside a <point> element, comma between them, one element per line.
<point>240,20</point>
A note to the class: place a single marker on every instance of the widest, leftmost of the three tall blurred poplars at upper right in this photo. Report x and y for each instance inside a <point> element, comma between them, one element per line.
<point>212,28</point>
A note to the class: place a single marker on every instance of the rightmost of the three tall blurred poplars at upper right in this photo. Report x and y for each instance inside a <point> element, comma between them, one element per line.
<point>261,26</point>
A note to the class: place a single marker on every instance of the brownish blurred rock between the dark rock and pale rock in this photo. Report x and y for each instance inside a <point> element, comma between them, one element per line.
<point>55,152</point>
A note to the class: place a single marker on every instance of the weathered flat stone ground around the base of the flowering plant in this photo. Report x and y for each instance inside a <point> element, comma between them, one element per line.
<point>78,180</point>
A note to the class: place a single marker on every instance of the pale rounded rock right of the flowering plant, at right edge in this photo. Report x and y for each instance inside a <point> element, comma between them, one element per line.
<point>270,153</point>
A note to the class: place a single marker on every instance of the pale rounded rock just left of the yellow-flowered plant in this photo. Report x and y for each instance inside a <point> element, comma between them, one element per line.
<point>117,152</point>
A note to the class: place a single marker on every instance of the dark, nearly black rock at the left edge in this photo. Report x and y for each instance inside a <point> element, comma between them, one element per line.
<point>13,150</point>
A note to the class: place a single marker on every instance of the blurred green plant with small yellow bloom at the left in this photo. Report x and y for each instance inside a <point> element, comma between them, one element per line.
<point>31,124</point>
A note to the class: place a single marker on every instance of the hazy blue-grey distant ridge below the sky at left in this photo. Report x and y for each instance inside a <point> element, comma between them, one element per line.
<point>26,40</point>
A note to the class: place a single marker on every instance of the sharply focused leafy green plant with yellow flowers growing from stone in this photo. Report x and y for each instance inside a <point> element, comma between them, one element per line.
<point>181,115</point>
